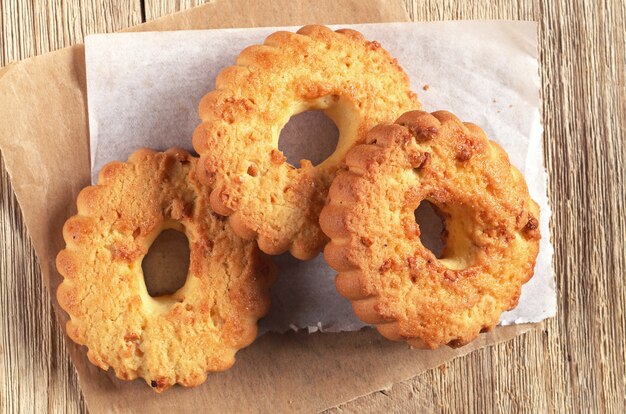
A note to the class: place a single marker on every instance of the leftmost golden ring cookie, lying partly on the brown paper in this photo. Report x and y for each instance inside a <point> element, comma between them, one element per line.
<point>170,339</point>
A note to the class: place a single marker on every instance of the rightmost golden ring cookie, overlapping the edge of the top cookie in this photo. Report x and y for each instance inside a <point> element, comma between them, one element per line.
<point>491,230</point>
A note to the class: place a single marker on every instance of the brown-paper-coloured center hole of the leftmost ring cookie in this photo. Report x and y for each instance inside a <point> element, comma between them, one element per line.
<point>166,265</point>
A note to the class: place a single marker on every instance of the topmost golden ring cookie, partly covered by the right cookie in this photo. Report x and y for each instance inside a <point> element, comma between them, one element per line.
<point>354,81</point>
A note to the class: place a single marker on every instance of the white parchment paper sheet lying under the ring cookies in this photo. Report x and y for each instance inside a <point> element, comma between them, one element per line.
<point>144,88</point>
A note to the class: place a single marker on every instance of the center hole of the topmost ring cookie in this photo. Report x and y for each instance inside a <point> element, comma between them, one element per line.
<point>309,135</point>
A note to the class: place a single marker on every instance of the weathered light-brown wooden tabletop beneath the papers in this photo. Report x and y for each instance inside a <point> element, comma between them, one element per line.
<point>576,362</point>
